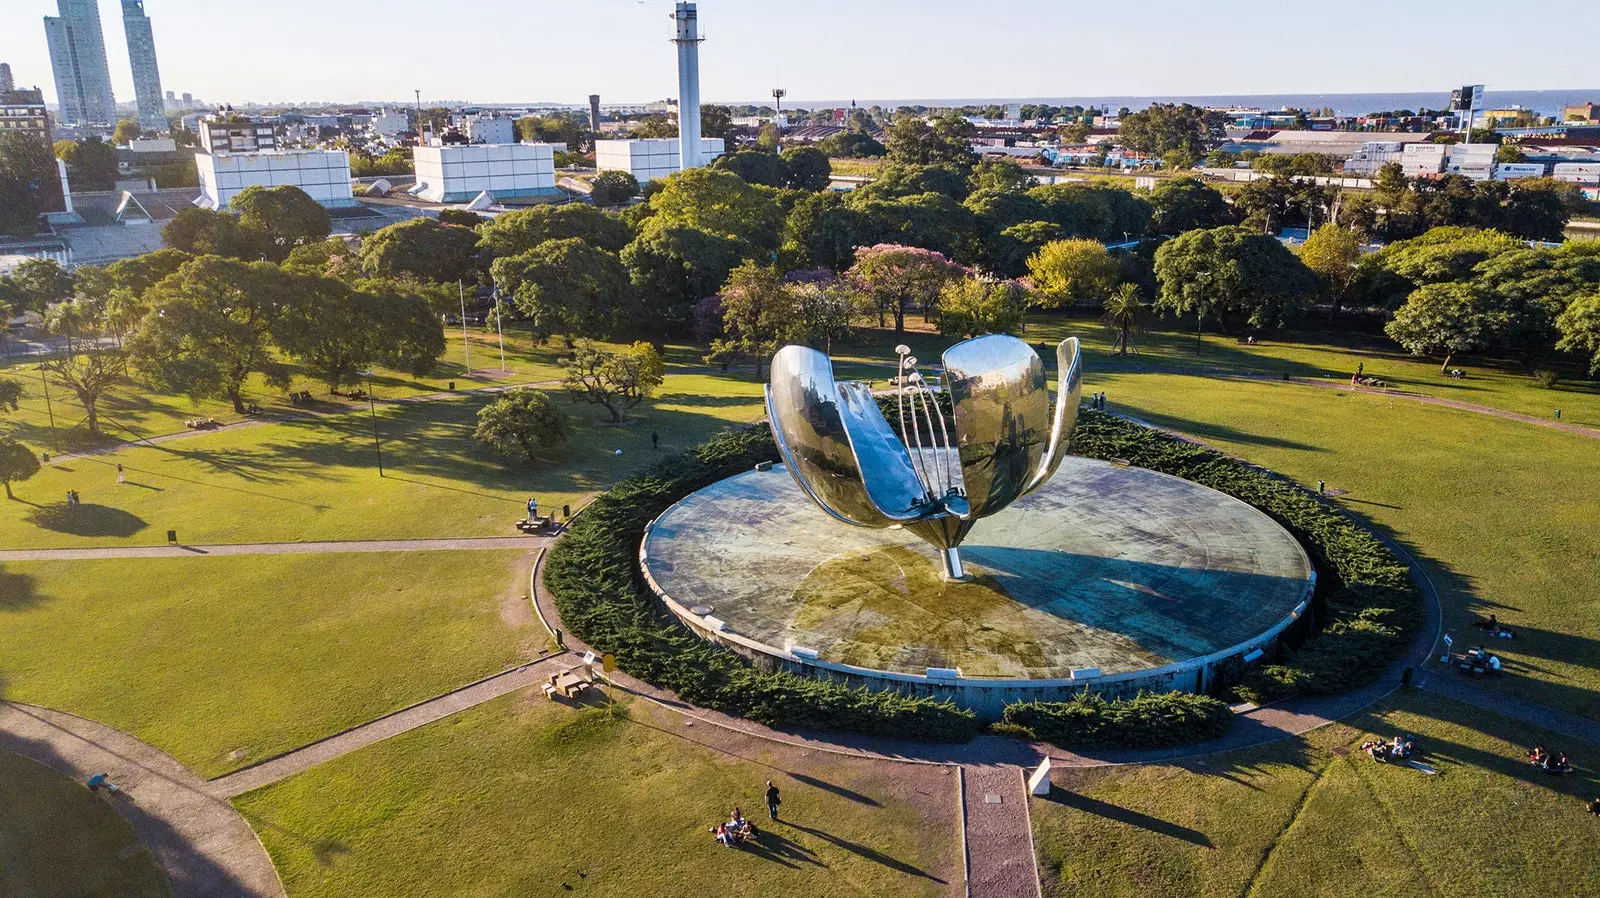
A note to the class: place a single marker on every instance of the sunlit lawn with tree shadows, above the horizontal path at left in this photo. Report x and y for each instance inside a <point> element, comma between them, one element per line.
<point>318,479</point>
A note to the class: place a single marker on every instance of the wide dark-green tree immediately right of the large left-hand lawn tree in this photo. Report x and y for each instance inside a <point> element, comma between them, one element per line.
<point>337,332</point>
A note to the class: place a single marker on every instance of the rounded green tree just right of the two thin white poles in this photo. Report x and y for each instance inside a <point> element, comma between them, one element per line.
<point>569,287</point>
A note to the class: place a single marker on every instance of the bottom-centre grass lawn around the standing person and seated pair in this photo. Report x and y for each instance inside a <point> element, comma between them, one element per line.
<point>524,796</point>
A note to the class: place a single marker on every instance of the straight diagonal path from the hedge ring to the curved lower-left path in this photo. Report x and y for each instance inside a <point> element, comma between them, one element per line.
<point>422,715</point>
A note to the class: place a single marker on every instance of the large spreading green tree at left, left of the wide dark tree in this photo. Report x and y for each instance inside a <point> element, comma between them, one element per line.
<point>210,327</point>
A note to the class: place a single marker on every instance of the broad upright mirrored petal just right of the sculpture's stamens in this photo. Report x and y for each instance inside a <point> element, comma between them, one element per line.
<point>1002,406</point>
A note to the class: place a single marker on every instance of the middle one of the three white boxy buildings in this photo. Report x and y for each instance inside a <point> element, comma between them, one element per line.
<point>458,174</point>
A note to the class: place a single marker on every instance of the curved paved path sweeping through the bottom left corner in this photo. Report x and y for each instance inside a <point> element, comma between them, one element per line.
<point>201,841</point>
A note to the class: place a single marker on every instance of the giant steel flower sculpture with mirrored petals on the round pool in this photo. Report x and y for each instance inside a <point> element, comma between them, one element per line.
<point>932,476</point>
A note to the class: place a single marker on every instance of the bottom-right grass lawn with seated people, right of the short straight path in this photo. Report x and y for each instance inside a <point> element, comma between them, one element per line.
<point>1318,817</point>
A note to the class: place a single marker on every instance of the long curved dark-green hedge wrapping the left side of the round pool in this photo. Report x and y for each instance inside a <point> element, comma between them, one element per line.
<point>598,585</point>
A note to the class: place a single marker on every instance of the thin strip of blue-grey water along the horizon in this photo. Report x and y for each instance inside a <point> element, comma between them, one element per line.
<point>1542,102</point>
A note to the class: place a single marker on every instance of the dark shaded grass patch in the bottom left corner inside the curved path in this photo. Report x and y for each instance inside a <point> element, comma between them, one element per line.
<point>62,841</point>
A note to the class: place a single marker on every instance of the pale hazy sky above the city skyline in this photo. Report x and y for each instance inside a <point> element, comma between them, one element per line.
<point>540,50</point>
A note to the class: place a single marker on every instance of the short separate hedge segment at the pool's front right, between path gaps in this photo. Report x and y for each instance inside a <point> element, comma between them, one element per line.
<point>1145,721</point>
